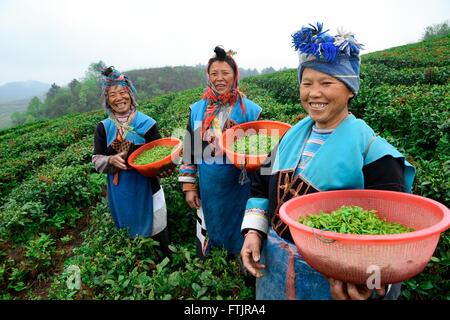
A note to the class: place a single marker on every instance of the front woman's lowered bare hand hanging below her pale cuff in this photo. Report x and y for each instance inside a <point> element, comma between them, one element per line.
<point>250,254</point>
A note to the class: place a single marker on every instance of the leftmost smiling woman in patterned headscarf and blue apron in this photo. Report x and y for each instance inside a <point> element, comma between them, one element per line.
<point>136,202</point>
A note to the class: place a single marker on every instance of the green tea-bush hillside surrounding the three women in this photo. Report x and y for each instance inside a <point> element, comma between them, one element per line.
<point>54,217</point>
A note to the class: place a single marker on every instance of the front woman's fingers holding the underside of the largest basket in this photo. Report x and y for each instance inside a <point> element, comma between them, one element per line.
<point>349,291</point>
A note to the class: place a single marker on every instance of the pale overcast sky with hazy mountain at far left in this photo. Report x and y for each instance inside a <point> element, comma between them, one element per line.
<point>56,40</point>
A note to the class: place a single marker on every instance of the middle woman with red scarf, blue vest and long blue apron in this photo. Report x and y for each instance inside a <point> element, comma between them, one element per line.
<point>214,187</point>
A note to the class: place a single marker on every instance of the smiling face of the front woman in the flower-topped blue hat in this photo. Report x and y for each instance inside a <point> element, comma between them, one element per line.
<point>324,98</point>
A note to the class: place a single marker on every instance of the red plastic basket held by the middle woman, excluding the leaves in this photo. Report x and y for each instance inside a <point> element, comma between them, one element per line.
<point>251,162</point>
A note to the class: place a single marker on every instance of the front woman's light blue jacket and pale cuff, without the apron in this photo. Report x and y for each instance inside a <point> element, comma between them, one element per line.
<point>337,165</point>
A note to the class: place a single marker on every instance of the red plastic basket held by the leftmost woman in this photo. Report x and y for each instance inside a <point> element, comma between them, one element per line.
<point>155,168</point>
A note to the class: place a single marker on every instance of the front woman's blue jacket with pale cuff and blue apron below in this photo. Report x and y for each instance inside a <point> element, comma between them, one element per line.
<point>338,164</point>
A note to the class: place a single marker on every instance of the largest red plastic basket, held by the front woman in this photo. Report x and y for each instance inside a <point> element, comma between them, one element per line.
<point>355,258</point>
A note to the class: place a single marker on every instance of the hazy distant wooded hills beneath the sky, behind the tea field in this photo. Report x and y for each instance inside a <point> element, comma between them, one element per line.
<point>84,94</point>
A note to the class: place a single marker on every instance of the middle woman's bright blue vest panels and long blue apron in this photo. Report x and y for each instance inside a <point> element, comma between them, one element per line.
<point>223,198</point>
